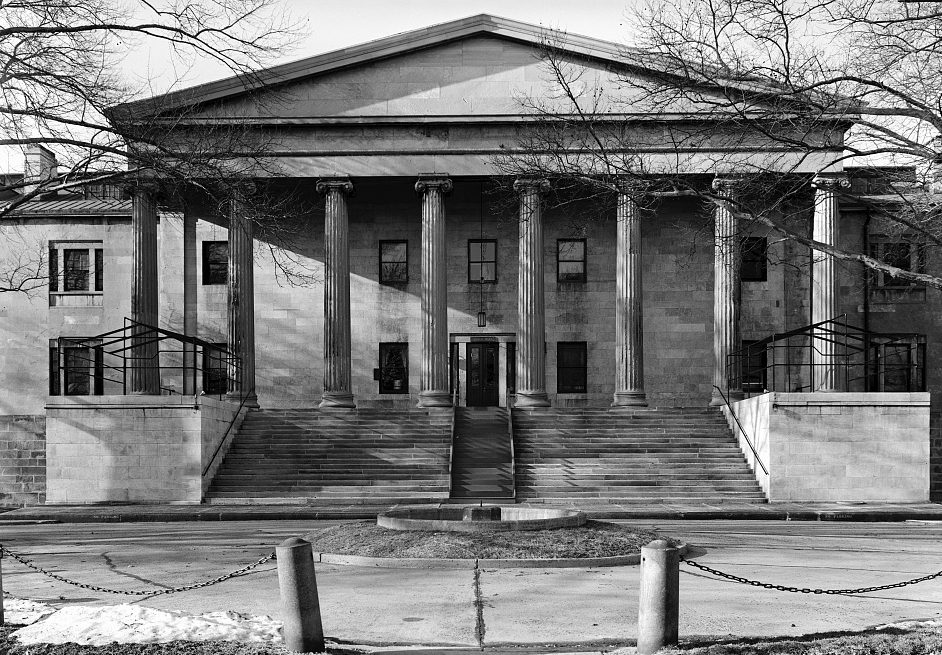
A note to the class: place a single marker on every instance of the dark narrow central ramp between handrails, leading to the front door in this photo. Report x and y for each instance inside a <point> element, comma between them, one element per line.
<point>481,464</point>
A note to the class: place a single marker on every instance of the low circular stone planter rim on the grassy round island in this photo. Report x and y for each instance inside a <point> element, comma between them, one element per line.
<point>479,519</point>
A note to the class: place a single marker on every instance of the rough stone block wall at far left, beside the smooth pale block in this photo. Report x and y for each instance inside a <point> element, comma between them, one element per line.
<point>22,460</point>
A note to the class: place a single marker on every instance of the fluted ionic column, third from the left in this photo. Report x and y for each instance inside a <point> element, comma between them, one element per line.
<point>337,376</point>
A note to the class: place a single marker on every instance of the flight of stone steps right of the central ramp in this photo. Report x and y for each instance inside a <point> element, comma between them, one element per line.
<point>628,456</point>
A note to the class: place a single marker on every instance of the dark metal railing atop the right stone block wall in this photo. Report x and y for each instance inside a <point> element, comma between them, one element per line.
<point>852,358</point>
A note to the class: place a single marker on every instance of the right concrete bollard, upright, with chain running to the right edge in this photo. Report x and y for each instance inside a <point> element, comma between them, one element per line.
<point>659,597</point>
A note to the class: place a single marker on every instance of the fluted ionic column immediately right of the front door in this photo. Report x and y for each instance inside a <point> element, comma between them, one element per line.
<point>531,311</point>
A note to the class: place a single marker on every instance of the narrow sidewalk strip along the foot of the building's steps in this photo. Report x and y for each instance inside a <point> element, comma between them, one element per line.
<point>315,510</point>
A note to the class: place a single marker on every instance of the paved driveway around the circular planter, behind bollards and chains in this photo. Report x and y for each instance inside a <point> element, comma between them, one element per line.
<point>573,609</point>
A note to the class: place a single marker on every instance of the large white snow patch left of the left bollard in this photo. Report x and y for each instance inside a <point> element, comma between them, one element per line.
<point>133,624</point>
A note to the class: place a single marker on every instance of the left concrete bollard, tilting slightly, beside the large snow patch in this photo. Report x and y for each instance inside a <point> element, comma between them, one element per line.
<point>300,608</point>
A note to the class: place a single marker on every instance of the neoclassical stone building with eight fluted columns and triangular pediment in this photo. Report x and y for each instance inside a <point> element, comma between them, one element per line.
<point>429,283</point>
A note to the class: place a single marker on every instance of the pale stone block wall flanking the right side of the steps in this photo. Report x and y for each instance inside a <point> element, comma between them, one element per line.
<point>848,447</point>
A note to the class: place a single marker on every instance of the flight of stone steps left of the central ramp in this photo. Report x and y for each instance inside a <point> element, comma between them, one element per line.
<point>356,456</point>
